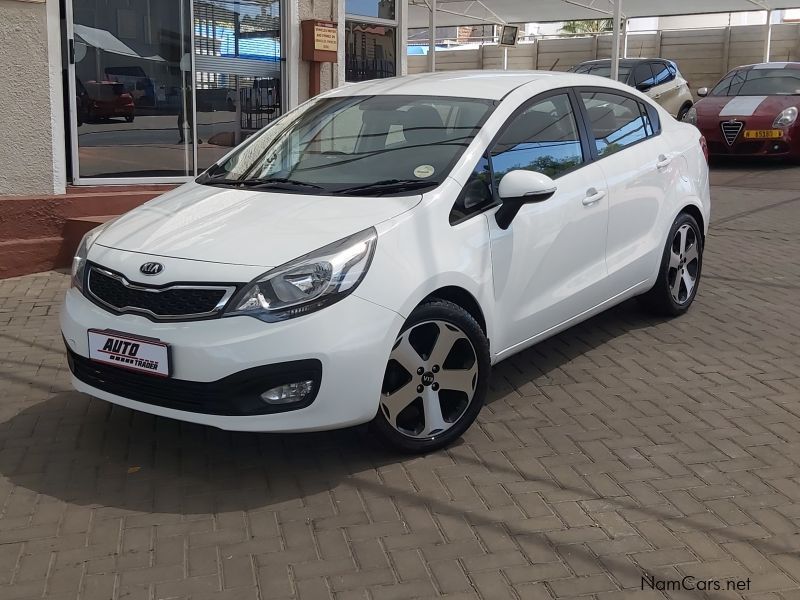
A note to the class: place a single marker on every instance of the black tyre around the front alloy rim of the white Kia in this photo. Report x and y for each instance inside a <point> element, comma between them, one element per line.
<point>448,312</point>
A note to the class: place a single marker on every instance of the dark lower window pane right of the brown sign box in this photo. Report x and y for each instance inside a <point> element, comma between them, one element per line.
<point>370,51</point>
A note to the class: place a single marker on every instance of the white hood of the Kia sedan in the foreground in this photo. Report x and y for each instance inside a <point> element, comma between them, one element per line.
<point>244,227</point>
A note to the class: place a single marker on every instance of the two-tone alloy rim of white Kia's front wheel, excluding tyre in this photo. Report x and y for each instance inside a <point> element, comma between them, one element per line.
<point>430,379</point>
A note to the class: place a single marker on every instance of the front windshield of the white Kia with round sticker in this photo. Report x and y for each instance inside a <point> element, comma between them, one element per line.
<point>361,145</point>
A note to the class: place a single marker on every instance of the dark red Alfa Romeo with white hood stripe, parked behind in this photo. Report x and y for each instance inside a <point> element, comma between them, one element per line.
<point>752,111</point>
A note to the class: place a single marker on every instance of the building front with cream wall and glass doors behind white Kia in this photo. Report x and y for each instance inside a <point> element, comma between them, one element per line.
<point>138,92</point>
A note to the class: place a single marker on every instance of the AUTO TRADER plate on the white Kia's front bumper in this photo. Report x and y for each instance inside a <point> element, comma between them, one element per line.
<point>144,355</point>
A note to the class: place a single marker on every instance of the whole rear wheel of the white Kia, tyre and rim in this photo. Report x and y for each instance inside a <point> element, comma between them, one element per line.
<point>681,265</point>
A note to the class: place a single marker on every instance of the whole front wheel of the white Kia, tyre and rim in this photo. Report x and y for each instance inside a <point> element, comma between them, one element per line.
<point>436,379</point>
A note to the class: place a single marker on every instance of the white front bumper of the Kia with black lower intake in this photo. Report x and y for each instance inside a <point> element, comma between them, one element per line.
<point>217,364</point>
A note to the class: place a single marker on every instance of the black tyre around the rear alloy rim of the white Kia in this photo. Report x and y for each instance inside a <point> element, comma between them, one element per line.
<point>659,299</point>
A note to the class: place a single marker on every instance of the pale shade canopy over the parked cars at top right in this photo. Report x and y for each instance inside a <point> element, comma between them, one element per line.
<point>469,12</point>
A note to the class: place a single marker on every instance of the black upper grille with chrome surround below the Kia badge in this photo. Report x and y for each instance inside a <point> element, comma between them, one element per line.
<point>172,302</point>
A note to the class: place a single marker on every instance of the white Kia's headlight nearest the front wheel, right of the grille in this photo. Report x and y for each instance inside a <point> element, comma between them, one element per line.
<point>308,283</point>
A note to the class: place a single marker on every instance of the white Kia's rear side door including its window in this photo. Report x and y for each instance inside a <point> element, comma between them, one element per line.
<point>638,169</point>
